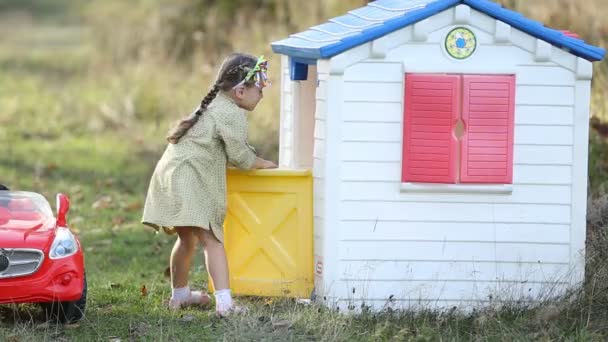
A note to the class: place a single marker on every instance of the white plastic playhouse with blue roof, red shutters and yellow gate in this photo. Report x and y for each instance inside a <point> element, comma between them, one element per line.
<point>445,150</point>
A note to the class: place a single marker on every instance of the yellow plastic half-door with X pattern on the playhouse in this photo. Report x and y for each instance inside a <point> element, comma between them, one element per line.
<point>268,232</point>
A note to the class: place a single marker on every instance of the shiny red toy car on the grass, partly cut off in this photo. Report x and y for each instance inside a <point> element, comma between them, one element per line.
<point>41,261</point>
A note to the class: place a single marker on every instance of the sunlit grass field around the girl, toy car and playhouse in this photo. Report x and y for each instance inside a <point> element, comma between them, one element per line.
<point>85,122</point>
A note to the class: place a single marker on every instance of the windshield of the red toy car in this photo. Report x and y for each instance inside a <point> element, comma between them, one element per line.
<point>23,206</point>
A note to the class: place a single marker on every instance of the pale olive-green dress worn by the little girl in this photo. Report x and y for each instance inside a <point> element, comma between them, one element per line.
<point>188,186</point>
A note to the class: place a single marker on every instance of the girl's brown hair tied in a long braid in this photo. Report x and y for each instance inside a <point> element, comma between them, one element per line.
<point>233,70</point>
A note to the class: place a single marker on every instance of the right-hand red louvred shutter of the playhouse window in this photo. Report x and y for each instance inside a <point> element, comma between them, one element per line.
<point>487,147</point>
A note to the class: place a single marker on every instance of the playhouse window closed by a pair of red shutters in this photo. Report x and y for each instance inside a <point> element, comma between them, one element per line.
<point>458,129</point>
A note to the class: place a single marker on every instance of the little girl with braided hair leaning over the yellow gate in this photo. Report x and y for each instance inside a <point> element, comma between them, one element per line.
<point>187,192</point>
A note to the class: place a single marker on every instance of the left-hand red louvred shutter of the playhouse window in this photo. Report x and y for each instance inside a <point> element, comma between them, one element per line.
<point>431,110</point>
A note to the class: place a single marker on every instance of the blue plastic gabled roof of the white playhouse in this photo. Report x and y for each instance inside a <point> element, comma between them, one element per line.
<point>384,16</point>
